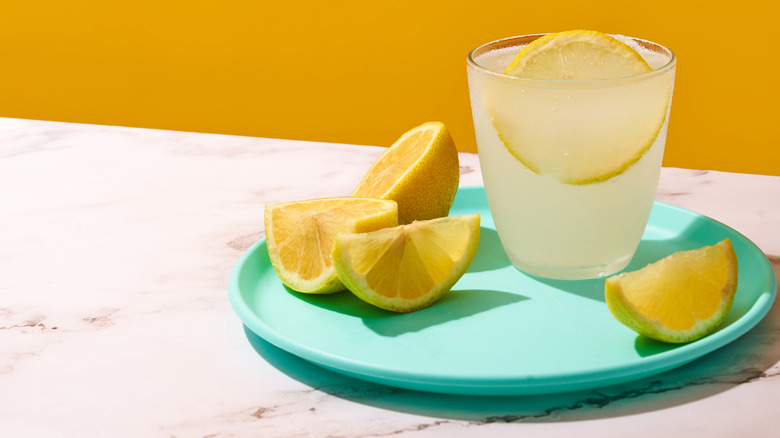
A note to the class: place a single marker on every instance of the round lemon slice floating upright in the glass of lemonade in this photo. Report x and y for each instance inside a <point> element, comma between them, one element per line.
<point>584,132</point>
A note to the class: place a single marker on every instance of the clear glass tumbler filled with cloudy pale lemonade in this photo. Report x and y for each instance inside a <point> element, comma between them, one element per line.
<point>570,167</point>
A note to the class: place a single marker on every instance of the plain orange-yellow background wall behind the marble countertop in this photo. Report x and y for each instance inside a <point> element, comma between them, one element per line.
<point>363,72</point>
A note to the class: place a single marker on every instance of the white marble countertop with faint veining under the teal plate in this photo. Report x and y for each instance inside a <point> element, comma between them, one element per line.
<point>116,245</point>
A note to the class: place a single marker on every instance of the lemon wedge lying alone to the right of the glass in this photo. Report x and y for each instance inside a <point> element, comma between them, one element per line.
<point>680,298</point>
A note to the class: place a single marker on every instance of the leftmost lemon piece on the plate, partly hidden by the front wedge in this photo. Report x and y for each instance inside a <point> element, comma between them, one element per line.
<point>300,236</point>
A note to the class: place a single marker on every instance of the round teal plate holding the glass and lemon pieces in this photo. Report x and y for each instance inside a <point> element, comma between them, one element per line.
<point>499,331</point>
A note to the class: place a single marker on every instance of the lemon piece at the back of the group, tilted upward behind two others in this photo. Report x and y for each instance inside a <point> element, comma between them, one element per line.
<point>420,171</point>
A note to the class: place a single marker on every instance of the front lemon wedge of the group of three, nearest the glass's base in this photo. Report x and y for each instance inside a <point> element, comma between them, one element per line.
<point>409,267</point>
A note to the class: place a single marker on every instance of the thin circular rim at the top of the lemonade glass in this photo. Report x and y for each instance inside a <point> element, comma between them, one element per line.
<point>511,42</point>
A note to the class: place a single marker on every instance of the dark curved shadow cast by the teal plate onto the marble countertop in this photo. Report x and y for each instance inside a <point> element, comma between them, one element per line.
<point>743,361</point>
